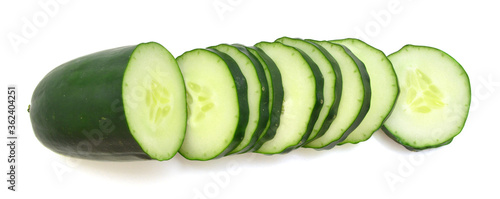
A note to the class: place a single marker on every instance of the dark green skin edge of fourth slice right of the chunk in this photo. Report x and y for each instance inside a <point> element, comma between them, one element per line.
<point>318,77</point>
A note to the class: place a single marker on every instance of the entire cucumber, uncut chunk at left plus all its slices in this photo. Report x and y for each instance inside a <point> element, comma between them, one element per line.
<point>269,98</point>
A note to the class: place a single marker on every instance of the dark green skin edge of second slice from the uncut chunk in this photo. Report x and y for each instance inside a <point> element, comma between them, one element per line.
<point>264,98</point>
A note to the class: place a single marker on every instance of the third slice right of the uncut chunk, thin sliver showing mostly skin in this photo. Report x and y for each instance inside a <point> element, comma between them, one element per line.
<point>275,88</point>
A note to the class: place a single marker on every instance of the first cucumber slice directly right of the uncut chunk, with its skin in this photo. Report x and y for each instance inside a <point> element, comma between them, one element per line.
<point>217,104</point>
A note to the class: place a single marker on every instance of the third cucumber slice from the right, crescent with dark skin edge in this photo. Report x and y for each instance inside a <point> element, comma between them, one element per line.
<point>354,101</point>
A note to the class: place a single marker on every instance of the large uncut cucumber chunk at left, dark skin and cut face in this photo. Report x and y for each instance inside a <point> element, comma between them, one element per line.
<point>120,104</point>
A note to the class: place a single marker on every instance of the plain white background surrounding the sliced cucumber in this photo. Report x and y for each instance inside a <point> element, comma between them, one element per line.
<point>467,30</point>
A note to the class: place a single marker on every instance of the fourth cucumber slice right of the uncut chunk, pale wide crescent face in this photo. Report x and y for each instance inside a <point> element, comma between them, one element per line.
<point>303,93</point>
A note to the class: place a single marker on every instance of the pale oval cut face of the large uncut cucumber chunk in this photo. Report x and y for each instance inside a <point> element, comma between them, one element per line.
<point>154,101</point>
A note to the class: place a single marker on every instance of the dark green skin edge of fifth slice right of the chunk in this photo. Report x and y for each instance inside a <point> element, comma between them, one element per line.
<point>332,113</point>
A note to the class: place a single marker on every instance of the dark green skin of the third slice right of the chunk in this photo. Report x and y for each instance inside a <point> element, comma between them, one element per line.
<point>278,94</point>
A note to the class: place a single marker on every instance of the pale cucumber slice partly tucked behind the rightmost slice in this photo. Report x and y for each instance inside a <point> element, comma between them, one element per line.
<point>384,88</point>
